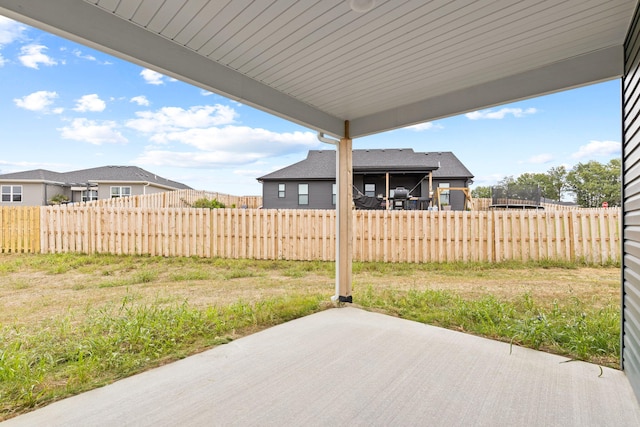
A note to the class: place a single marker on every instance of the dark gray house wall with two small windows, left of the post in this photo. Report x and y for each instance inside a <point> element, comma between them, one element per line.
<point>320,195</point>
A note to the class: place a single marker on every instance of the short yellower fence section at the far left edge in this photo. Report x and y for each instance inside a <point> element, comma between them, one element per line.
<point>20,229</point>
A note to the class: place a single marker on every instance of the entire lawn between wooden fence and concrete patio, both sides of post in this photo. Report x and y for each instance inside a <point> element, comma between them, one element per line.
<point>74,322</point>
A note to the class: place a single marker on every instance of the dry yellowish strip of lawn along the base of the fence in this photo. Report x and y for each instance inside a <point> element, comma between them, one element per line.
<point>38,287</point>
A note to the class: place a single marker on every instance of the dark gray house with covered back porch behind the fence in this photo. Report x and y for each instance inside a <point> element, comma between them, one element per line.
<point>377,173</point>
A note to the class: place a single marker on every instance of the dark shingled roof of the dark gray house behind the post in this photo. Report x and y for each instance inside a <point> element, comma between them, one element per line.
<point>321,164</point>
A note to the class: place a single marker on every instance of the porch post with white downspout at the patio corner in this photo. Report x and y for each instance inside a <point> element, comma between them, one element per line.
<point>344,232</point>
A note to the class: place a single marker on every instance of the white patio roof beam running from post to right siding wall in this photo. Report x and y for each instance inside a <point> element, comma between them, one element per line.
<point>597,66</point>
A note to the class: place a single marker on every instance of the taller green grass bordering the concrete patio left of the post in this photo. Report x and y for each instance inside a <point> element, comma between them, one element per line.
<point>55,359</point>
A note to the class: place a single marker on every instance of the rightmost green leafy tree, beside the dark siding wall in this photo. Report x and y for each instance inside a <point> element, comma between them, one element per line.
<point>594,183</point>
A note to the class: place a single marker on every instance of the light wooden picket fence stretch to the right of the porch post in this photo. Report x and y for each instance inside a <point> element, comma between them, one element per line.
<point>418,236</point>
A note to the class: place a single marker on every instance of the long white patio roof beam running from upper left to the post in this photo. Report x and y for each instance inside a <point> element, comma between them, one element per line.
<point>89,25</point>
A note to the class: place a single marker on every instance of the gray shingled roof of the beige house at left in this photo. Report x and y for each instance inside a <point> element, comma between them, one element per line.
<point>103,173</point>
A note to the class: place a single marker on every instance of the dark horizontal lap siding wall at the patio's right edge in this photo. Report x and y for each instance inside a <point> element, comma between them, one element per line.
<point>631,208</point>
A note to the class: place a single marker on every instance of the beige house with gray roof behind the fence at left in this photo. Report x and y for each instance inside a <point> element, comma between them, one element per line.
<point>39,186</point>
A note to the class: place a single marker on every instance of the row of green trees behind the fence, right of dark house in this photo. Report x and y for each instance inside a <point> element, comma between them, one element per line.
<point>588,184</point>
